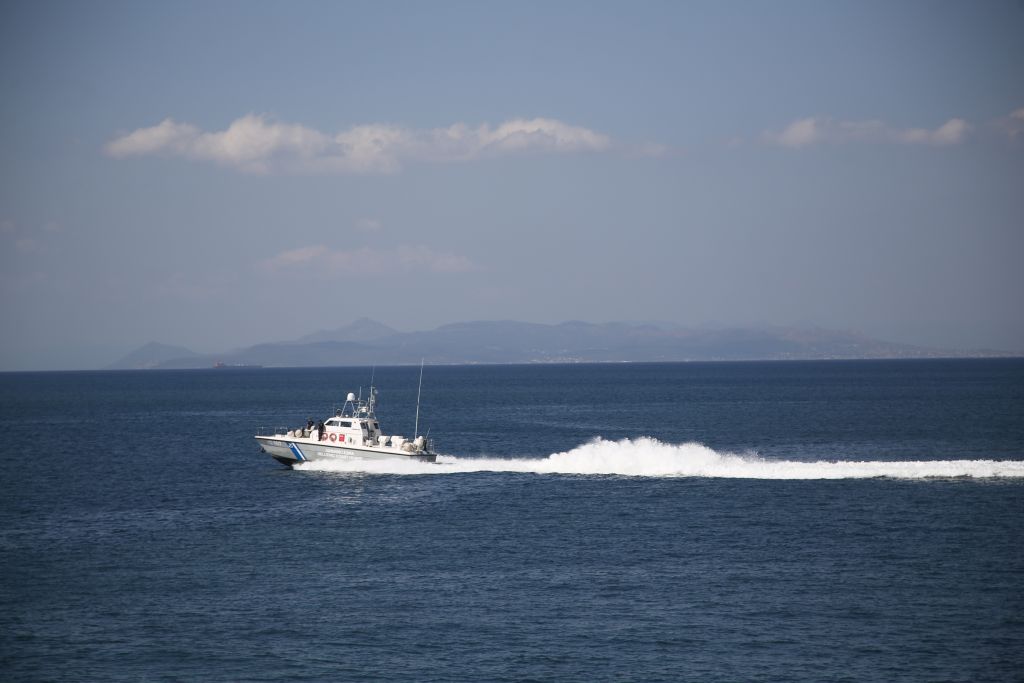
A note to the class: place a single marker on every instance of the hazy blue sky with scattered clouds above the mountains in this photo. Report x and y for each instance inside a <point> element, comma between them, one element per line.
<point>218,175</point>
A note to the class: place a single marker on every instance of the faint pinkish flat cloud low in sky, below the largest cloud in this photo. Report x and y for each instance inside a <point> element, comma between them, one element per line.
<point>403,260</point>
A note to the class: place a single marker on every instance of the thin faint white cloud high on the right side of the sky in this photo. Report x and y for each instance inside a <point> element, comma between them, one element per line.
<point>816,131</point>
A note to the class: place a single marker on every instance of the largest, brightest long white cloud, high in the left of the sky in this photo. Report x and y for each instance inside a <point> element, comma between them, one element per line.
<point>258,145</point>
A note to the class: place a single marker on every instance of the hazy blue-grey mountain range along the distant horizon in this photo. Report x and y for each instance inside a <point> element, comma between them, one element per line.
<point>368,343</point>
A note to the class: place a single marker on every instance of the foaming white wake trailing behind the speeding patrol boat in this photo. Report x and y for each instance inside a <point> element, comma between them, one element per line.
<point>651,458</point>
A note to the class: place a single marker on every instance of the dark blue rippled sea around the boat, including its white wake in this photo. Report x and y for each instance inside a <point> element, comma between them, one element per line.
<point>703,522</point>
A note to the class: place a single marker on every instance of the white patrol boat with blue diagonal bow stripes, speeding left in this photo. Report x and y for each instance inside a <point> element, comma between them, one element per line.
<point>353,434</point>
